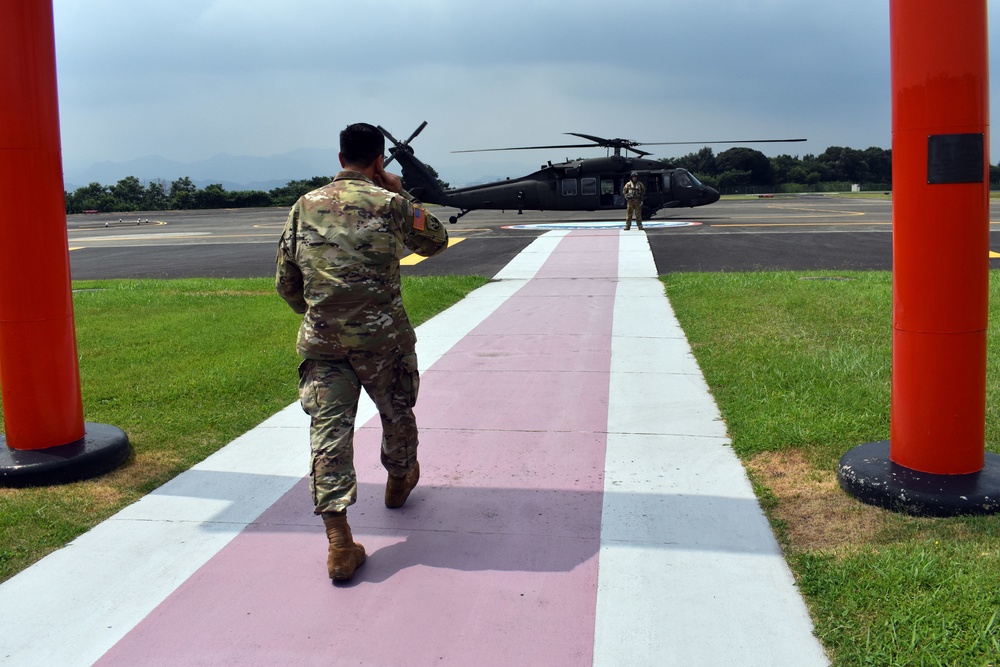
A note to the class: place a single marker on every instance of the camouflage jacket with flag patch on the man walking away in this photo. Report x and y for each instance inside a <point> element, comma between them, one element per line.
<point>338,265</point>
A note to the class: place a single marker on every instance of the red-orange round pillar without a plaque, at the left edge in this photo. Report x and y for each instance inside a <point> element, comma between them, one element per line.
<point>39,369</point>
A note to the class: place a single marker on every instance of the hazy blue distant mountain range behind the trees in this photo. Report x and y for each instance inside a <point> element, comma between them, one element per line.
<point>243,172</point>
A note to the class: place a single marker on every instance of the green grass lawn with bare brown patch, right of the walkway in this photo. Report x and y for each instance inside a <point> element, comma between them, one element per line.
<point>800,366</point>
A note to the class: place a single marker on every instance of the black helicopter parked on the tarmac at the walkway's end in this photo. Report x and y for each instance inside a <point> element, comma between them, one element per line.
<point>591,184</point>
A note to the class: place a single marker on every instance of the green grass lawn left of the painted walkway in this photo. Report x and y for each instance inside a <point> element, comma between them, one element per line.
<point>183,367</point>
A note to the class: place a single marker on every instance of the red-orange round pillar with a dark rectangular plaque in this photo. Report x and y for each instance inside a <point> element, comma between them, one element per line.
<point>940,122</point>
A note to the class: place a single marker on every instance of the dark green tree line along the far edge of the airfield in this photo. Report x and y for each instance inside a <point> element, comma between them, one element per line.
<point>733,170</point>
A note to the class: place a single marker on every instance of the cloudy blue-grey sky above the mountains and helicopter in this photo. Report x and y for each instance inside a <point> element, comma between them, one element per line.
<point>188,79</point>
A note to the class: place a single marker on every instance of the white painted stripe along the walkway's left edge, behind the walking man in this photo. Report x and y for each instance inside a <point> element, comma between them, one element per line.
<point>75,604</point>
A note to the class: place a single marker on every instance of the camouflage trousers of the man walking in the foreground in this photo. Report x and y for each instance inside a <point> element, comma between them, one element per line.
<point>329,392</point>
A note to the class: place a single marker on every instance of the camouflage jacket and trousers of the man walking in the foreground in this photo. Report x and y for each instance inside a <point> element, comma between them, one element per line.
<point>338,265</point>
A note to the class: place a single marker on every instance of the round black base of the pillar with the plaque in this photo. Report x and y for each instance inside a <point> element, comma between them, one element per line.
<point>867,473</point>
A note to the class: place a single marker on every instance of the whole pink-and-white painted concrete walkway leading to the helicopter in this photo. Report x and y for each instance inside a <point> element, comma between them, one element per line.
<point>579,504</point>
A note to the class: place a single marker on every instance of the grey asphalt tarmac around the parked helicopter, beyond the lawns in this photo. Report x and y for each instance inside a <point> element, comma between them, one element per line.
<point>805,232</point>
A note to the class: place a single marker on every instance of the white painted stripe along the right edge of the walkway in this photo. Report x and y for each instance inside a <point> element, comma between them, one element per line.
<point>690,573</point>
